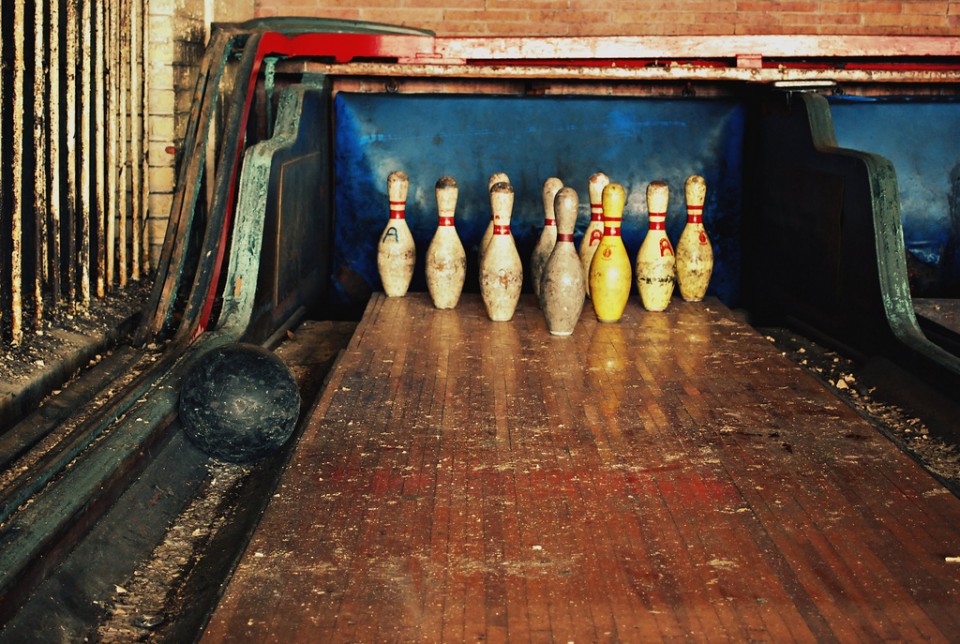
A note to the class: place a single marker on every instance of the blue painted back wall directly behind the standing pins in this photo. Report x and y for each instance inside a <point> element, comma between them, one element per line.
<point>634,141</point>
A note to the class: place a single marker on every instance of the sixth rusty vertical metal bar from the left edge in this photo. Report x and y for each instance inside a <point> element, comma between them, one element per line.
<point>100,85</point>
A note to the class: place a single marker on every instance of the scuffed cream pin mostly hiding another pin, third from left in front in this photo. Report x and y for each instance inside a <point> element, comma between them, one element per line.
<point>501,273</point>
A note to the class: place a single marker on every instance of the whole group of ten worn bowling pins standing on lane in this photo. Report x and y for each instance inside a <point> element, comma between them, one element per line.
<point>501,274</point>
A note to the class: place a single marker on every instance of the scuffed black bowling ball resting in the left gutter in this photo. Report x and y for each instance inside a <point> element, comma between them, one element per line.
<point>239,402</point>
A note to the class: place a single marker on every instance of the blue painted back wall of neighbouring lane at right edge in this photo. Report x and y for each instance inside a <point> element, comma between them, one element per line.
<point>921,136</point>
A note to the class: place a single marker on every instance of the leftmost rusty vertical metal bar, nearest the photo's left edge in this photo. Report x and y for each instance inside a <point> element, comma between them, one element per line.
<point>16,246</point>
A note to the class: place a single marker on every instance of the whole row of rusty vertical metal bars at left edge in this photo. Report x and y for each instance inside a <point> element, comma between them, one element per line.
<point>69,106</point>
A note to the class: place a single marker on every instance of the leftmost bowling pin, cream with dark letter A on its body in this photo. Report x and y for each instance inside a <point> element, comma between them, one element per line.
<point>396,253</point>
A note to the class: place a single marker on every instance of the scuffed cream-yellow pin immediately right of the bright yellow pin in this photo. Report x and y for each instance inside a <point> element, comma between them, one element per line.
<point>655,261</point>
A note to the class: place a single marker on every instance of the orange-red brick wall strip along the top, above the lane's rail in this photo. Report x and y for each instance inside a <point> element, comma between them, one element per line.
<point>645,17</point>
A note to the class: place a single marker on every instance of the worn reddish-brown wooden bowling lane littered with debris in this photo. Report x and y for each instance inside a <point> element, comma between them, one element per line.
<point>669,476</point>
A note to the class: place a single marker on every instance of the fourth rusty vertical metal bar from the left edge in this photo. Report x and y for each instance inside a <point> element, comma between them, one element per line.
<point>73,62</point>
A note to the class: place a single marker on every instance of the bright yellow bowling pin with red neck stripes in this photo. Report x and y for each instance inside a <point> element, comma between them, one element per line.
<point>610,275</point>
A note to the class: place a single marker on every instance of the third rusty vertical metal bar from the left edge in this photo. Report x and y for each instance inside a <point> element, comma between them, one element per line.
<point>54,135</point>
